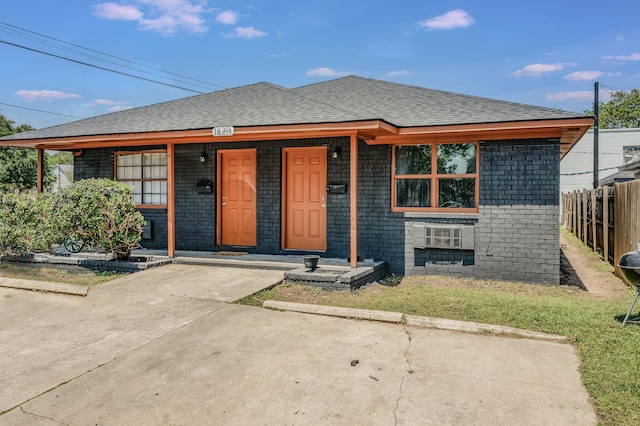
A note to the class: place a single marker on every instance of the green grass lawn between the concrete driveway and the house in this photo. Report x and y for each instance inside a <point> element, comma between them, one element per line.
<point>610,354</point>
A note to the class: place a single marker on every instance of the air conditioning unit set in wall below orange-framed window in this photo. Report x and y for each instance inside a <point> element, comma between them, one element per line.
<point>452,237</point>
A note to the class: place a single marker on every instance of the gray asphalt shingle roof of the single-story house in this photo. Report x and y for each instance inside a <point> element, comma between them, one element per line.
<point>341,100</point>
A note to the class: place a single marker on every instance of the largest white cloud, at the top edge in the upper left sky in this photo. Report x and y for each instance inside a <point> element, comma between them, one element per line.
<point>163,16</point>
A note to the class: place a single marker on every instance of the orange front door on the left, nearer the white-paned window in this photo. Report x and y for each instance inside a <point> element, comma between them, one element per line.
<point>237,197</point>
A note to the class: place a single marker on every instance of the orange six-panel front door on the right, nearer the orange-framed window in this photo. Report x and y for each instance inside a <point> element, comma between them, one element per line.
<point>305,193</point>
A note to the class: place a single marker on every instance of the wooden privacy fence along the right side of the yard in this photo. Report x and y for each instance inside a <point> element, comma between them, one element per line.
<point>606,219</point>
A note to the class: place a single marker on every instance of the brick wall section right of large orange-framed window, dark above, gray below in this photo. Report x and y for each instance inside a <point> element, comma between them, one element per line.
<point>518,226</point>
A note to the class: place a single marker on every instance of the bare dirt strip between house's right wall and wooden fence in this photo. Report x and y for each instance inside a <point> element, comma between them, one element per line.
<point>583,269</point>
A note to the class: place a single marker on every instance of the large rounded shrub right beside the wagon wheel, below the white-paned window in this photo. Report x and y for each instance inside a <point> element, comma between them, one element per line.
<point>99,212</point>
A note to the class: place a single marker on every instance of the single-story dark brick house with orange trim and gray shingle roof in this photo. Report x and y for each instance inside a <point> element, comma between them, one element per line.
<point>431,182</point>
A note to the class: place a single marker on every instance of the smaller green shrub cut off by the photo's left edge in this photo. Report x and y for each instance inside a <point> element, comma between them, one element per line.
<point>24,223</point>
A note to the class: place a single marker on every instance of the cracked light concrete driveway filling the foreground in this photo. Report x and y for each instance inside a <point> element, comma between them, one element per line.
<point>162,347</point>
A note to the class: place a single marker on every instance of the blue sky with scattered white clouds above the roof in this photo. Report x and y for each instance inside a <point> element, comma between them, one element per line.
<point>543,52</point>
